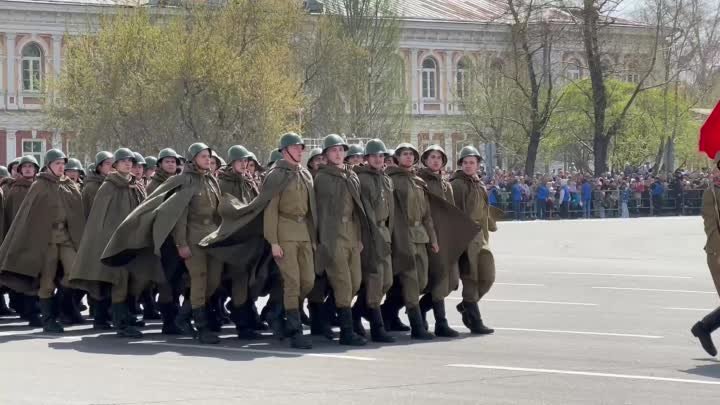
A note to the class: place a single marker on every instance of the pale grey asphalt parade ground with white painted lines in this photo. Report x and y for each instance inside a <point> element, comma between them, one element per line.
<point>585,312</point>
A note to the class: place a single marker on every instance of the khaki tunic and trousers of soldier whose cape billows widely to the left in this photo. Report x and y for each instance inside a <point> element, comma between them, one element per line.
<point>199,219</point>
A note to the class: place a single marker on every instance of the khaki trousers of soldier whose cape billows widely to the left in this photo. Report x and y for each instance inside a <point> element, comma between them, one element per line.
<point>205,274</point>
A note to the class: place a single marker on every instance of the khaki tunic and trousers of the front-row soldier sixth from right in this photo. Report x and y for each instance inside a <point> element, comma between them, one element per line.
<point>288,223</point>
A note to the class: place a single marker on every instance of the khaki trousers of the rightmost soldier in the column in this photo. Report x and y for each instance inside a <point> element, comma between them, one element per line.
<point>481,274</point>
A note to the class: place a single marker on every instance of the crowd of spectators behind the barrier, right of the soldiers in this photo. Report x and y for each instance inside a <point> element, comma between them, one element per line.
<point>634,192</point>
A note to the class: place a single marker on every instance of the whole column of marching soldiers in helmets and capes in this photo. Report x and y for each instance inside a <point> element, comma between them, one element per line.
<point>191,238</point>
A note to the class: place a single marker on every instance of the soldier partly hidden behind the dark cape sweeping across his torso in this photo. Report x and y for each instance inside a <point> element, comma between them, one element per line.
<point>234,180</point>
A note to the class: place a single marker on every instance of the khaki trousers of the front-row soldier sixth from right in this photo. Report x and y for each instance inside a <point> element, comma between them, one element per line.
<point>298,272</point>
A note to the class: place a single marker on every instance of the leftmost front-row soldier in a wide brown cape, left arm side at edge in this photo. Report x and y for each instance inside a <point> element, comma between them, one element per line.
<point>51,216</point>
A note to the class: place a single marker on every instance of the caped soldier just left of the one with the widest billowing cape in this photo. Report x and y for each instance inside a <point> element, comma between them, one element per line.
<point>118,196</point>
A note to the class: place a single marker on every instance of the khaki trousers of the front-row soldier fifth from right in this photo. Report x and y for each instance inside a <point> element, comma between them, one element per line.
<point>345,278</point>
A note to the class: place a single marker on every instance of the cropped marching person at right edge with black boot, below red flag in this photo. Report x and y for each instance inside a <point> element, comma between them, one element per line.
<point>711,218</point>
